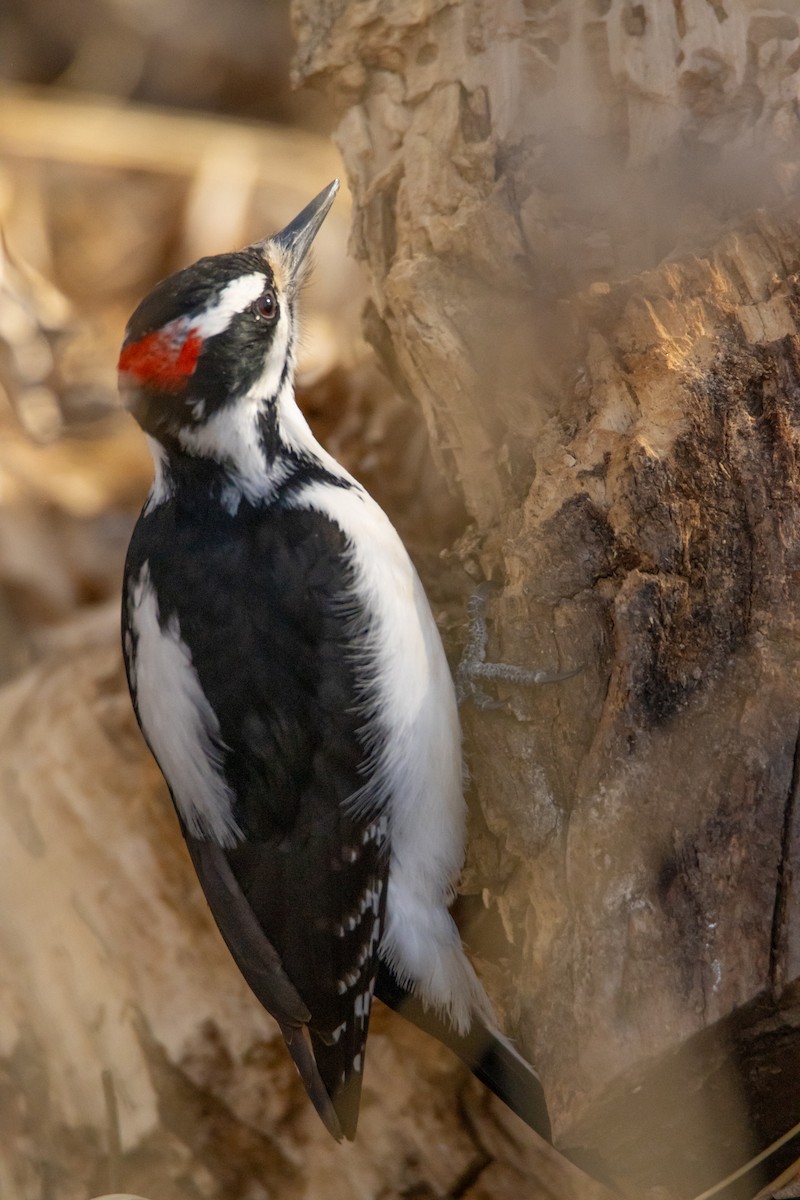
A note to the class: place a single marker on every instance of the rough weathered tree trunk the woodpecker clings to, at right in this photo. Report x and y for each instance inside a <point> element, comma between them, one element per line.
<point>582,244</point>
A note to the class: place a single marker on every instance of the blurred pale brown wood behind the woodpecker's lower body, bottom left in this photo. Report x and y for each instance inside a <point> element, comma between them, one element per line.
<point>112,965</point>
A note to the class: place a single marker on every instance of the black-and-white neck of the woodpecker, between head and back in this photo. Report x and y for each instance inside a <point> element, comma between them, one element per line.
<point>251,449</point>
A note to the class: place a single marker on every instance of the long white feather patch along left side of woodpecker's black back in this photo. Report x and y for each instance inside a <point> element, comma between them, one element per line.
<point>181,727</point>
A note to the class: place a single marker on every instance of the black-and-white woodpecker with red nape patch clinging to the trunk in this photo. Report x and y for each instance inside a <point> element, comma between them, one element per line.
<point>290,680</point>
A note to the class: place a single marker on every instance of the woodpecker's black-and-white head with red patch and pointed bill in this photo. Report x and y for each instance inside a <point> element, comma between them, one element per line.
<point>218,332</point>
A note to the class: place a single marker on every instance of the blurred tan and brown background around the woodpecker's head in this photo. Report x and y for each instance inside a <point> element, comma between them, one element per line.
<point>136,137</point>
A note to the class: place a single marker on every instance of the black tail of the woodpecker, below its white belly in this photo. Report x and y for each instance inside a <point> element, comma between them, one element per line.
<point>485,1052</point>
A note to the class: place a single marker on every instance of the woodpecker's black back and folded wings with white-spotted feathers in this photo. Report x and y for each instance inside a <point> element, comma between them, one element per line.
<point>267,608</point>
